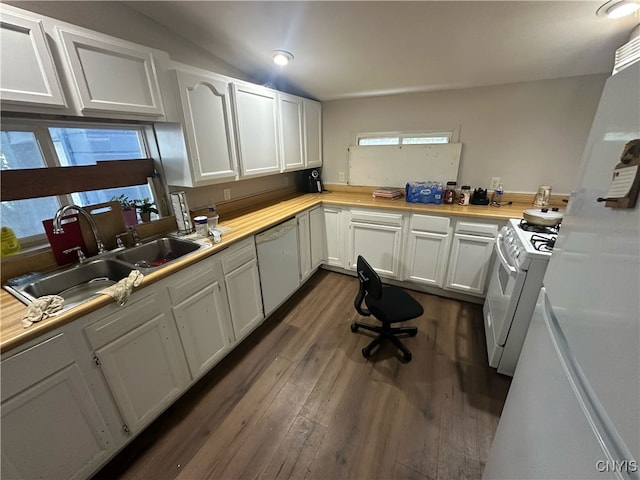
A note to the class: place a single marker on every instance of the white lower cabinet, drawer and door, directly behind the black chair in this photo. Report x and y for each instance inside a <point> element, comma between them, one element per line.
<point>377,236</point>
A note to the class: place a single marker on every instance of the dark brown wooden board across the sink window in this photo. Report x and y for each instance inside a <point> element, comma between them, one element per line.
<point>45,182</point>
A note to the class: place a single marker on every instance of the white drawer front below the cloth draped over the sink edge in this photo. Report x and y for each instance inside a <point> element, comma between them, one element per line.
<point>117,324</point>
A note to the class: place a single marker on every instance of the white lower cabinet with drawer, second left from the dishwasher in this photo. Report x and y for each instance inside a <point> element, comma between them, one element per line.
<point>201,312</point>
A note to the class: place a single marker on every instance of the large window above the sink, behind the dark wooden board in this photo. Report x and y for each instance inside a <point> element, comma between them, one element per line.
<point>36,146</point>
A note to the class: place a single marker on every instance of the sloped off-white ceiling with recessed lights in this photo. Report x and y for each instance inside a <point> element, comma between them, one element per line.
<point>347,49</point>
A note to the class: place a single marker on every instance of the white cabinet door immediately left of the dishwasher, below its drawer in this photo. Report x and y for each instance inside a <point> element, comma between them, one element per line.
<point>245,298</point>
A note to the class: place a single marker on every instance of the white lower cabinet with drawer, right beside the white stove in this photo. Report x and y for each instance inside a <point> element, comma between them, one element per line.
<point>470,259</point>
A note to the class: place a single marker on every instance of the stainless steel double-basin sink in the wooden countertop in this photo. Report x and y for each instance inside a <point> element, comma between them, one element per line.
<point>79,283</point>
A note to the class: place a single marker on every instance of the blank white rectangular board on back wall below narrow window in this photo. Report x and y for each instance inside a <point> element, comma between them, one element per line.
<point>395,165</point>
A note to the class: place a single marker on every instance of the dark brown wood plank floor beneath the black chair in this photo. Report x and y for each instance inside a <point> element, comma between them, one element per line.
<point>297,400</point>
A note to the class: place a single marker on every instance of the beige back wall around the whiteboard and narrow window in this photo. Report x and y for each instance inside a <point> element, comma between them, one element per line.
<point>527,133</point>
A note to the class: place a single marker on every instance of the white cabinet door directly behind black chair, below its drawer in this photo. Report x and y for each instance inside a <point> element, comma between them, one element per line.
<point>379,244</point>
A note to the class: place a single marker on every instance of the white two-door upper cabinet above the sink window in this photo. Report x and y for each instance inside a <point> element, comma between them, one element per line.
<point>50,66</point>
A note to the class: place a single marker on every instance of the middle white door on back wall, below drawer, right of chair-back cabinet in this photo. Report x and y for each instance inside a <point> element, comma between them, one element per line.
<point>427,257</point>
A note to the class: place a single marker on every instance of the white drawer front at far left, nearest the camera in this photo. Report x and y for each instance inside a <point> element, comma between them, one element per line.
<point>33,364</point>
